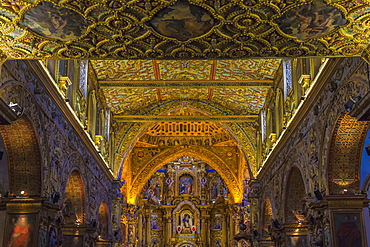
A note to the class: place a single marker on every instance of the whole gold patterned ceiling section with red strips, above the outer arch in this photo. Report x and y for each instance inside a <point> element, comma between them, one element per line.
<point>205,73</point>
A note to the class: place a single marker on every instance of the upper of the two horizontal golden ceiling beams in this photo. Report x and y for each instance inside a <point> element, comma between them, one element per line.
<point>179,84</point>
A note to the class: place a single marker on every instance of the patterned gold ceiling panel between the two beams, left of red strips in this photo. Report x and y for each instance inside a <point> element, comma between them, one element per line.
<point>129,101</point>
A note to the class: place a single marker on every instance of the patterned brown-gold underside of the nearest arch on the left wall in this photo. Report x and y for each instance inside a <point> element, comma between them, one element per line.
<point>23,154</point>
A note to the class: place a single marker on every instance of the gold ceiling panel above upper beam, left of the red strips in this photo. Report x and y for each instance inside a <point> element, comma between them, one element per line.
<point>124,69</point>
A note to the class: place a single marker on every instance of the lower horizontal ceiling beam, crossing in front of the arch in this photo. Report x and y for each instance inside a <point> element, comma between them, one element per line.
<point>203,118</point>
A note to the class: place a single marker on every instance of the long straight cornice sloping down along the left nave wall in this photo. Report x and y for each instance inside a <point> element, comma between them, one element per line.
<point>67,112</point>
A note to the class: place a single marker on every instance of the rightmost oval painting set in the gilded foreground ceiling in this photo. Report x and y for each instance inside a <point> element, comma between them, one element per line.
<point>312,20</point>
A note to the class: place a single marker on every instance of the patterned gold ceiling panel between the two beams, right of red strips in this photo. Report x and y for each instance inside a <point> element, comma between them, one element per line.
<point>243,100</point>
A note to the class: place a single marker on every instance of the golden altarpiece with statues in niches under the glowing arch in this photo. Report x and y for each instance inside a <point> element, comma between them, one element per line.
<point>184,203</point>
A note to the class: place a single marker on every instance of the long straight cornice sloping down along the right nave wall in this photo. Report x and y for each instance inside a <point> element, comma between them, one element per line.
<point>321,80</point>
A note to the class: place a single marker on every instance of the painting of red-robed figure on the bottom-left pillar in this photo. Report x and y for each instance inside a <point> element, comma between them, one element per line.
<point>21,230</point>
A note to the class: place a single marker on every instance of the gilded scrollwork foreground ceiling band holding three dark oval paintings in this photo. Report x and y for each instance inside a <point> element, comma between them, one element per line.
<point>182,29</point>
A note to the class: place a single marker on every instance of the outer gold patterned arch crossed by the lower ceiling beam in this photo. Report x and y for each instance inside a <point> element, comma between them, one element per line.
<point>127,138</point>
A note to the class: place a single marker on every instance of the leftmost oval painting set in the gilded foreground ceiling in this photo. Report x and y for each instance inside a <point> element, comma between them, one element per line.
<point>52,21</point>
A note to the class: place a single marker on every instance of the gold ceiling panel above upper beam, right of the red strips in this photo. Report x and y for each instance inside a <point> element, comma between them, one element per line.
<point>257,69</point>
